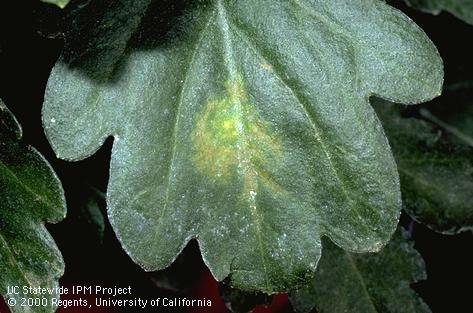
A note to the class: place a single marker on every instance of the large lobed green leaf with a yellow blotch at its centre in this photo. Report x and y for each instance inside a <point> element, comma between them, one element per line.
<point>245,124</point>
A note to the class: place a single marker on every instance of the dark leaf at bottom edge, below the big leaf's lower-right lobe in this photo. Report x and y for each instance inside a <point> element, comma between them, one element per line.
<point>365,283</point>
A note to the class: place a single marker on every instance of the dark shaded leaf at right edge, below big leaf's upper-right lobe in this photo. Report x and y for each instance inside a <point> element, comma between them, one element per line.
<point>436,173</point>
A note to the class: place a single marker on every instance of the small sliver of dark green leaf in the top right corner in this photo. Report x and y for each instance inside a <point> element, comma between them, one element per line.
<point>463,9</point>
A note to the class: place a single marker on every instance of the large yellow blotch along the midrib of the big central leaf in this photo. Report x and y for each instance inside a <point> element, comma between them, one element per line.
<point>230,138</point>
